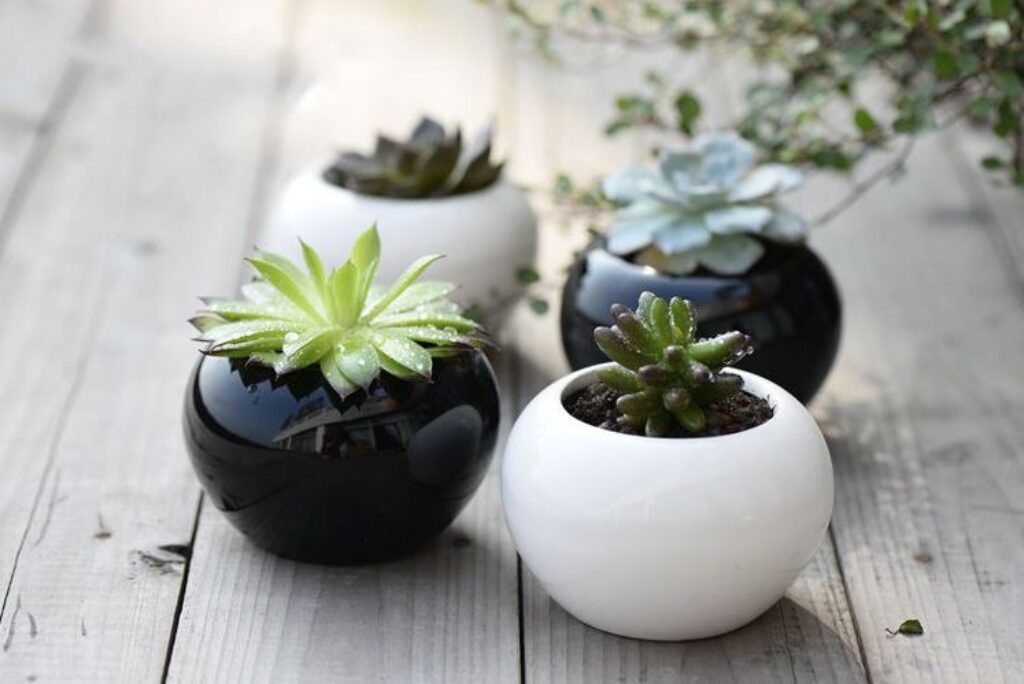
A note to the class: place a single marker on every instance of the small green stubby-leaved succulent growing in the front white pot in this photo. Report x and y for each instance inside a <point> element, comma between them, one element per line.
<point>667,378</point>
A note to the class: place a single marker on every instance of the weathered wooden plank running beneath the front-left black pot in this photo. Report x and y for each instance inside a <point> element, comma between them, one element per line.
<point>451,613</point>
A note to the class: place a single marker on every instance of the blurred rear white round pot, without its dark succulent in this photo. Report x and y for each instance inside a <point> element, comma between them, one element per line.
<point>485,236</point>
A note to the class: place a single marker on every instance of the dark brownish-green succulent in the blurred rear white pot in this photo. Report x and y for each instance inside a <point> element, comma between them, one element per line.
<point>431,163</point>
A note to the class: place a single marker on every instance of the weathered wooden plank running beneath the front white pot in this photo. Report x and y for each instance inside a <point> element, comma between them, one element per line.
<point>809,636</point>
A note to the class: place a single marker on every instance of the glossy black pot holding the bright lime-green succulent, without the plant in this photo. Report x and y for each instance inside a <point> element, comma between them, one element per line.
<point>313,478</point>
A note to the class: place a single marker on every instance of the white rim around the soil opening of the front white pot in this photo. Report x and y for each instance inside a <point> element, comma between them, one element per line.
<point>783,405</point>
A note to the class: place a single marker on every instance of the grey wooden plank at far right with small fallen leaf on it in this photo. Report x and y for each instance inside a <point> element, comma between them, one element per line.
<point>923,419</point>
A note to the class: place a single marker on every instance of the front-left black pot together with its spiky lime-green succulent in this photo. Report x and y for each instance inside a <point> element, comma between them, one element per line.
<point>333,421</point>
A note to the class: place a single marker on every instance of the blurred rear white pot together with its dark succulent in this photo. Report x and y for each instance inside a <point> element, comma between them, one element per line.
<point>429,194</point>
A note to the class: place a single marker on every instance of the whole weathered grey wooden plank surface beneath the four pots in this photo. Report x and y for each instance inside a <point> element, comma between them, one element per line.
<point>142,146</point>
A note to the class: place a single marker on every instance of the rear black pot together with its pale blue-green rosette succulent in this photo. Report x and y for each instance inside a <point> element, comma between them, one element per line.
<point>707,226</point>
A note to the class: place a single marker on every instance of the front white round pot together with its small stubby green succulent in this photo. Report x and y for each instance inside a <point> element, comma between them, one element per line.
<point>665,496</point>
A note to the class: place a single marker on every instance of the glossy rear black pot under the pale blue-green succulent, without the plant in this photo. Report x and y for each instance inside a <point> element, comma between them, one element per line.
<point>788,303</point>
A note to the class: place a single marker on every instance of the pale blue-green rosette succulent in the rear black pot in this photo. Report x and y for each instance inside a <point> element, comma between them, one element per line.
<point>703,208</point>
